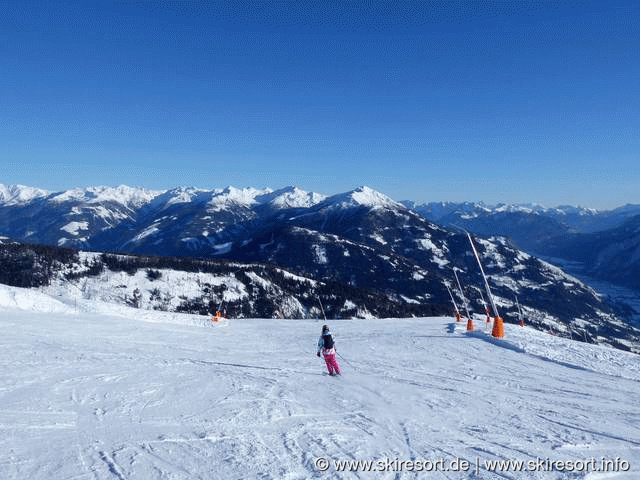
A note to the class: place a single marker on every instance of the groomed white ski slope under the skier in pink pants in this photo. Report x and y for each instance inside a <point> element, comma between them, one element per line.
<point>96,391</point>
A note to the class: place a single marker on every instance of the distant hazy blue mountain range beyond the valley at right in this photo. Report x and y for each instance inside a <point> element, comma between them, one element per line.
<point>599,244</point>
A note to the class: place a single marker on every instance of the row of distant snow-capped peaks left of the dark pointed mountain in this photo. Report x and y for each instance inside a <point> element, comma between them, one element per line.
<point>117,217</point>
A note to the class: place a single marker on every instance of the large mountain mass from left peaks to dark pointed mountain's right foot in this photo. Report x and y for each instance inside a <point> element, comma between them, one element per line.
<point>360,239</point>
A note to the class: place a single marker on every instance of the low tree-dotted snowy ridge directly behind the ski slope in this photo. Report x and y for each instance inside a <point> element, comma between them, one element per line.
<point>193,286</point>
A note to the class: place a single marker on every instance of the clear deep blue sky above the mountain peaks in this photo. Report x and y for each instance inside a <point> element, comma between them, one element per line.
<point>514,101</point>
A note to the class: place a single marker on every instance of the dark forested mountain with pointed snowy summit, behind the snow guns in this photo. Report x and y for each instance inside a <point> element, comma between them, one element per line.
<point>383,245</point>
